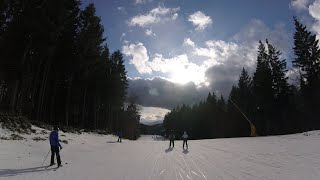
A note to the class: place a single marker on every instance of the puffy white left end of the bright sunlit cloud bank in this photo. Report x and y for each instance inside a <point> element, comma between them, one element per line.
<point>139,57</point>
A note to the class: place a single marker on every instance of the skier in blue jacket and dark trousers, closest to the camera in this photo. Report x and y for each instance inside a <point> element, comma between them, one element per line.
<point>55,145</point>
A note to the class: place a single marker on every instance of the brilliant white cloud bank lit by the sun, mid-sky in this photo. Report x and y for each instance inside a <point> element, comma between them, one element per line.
<point>178,69</point>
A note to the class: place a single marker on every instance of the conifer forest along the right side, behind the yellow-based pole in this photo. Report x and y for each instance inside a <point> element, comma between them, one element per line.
<point>266,98</point>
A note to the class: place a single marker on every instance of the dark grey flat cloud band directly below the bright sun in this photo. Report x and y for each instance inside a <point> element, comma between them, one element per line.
<point>160,92</point>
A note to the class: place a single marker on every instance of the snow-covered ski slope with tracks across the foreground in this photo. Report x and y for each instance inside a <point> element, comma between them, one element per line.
<point>90,156</point>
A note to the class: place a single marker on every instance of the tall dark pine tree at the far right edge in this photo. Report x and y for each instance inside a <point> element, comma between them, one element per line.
<point>307,60</point>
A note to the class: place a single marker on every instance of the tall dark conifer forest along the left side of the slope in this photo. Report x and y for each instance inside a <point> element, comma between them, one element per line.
<point>56,67</point>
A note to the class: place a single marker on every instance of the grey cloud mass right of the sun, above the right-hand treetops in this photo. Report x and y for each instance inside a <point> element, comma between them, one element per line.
<point>225,59</point>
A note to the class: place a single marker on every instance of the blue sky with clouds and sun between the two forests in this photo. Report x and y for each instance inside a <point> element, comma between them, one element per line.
<point>177,51</point>
